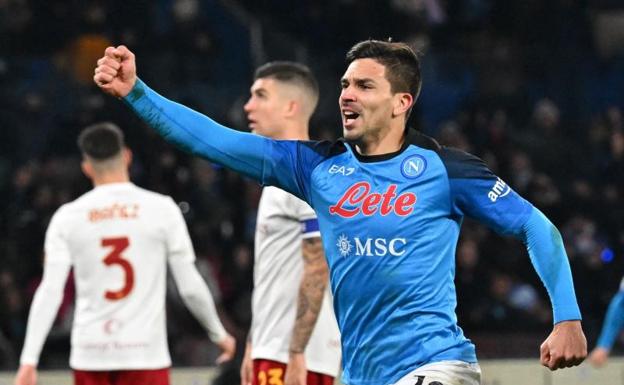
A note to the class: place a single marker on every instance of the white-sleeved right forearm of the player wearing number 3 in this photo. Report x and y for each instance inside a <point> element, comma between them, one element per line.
<point>197,298</point>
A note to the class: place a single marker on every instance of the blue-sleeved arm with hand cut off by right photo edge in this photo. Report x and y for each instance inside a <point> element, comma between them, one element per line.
<point>611,327</point>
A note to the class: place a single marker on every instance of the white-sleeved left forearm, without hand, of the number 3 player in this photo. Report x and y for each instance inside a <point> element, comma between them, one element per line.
<point>43,310</point>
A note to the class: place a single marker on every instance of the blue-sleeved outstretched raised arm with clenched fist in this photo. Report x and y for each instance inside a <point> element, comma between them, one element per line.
<point>272,162</point>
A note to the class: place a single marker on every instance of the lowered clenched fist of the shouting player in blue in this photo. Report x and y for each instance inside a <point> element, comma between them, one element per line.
<point>565,347</point>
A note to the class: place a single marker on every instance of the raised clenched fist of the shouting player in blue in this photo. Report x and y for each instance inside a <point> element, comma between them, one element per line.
<point>115,73</point>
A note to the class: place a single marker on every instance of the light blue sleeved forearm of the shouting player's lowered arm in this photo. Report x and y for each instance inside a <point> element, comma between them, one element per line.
<point>547,253</point>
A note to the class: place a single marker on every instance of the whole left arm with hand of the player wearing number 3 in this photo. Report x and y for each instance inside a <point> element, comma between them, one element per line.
<point>46,301</point>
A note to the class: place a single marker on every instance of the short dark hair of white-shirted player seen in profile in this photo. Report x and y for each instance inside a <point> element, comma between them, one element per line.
<point>289,72</point>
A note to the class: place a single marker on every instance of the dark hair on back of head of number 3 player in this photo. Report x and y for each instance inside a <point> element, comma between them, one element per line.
<point>101,141</point>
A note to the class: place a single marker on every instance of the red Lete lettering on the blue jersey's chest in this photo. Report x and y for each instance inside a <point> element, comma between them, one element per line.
<point>359,199</point>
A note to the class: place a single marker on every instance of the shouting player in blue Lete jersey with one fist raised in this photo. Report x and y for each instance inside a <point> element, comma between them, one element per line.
<point>390,203</point>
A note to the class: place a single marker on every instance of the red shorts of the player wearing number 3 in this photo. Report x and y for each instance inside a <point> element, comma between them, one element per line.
<point>122,377</point>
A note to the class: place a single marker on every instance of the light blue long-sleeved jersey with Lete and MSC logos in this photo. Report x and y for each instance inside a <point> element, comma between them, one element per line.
<point>389,225</point>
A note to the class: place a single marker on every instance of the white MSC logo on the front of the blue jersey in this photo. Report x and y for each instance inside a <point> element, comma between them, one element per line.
<point>370,247</point>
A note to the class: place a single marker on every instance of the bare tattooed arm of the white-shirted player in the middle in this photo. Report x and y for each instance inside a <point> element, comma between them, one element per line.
<point>311,293</point>
